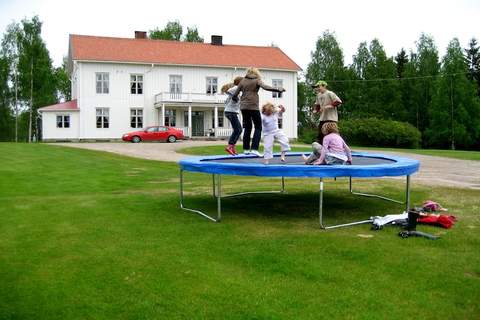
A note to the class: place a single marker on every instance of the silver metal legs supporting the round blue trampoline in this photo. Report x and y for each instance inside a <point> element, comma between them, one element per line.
<point>217,193</point>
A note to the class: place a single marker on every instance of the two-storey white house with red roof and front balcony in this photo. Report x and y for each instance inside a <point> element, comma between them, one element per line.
<point>120,85</point>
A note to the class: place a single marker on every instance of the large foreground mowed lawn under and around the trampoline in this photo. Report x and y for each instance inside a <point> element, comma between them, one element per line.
<point>92,235</point>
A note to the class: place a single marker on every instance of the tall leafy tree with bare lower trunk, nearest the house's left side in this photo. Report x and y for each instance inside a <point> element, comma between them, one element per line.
<point>36,76</point>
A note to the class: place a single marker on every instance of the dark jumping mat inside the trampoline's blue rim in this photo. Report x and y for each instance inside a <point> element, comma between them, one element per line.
<point>298,160</point>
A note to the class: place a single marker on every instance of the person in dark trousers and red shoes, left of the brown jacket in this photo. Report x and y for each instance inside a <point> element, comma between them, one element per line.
<point>232,109</point>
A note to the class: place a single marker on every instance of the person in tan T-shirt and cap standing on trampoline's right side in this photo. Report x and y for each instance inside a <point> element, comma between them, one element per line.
<point>326,104</point>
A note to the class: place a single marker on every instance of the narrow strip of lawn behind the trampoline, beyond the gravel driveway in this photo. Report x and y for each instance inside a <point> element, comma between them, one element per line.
<point>457,154</point>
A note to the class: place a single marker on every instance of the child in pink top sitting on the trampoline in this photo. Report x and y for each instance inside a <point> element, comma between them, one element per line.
<point>334,149</point>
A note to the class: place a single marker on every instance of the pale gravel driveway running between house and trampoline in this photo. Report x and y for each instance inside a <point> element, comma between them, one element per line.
<point>433,170</point>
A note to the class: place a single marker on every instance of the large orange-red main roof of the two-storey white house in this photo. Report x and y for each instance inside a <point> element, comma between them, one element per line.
<point>94,48</point>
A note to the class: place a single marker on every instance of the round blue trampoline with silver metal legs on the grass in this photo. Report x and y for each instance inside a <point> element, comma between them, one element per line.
<point>364,165</point>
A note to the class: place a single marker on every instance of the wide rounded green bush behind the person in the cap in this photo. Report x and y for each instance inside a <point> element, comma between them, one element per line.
<point>373,132</point>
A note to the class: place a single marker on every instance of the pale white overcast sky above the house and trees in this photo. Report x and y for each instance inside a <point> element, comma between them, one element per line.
<point>292,25</point>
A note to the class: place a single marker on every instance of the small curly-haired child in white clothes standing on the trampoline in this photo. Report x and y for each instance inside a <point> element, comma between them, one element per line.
<point>271,131</point>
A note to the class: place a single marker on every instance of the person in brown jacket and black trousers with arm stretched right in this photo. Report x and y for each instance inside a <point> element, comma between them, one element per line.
<point>249,105</point>
